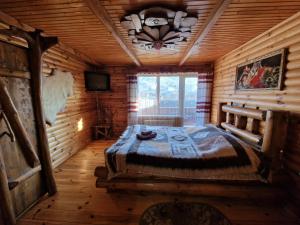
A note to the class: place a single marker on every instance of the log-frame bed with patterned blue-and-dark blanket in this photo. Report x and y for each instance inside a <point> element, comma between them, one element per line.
<point>243,148</point>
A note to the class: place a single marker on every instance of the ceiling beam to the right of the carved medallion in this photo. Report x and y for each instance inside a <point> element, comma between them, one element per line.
<point>209,23</point>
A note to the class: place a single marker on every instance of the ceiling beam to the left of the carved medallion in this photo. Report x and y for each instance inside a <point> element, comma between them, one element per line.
<point>101,13</point>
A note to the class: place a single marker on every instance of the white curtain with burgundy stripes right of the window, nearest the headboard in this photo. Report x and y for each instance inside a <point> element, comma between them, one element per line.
<point>204,98</point>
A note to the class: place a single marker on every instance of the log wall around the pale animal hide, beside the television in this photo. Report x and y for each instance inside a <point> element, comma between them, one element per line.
<point>65,137</point>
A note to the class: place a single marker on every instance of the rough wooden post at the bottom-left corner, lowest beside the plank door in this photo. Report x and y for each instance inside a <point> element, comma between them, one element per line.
<point>6,205</point>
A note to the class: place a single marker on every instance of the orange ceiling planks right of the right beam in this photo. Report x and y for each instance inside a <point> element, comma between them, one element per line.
<point>241,22</point>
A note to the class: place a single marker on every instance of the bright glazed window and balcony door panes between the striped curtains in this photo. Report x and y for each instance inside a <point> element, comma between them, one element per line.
<point>168,96</point>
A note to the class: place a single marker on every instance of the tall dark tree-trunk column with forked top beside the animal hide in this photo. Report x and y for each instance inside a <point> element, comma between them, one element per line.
<point>37,46</point>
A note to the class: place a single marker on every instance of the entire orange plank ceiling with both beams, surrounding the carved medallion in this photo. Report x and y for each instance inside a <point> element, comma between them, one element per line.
<point>82,28</point>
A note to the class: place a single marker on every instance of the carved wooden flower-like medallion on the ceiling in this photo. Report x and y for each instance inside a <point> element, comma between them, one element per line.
<point>158,28</point>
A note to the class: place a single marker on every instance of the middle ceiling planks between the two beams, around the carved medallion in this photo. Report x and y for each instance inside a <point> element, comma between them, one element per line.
<point>118,8</point>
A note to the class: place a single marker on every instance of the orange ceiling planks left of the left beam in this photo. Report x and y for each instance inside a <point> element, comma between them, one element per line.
<point>75,25</point>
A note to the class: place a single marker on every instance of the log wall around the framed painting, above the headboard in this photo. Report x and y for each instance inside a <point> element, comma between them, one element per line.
<point>283,35</point>
